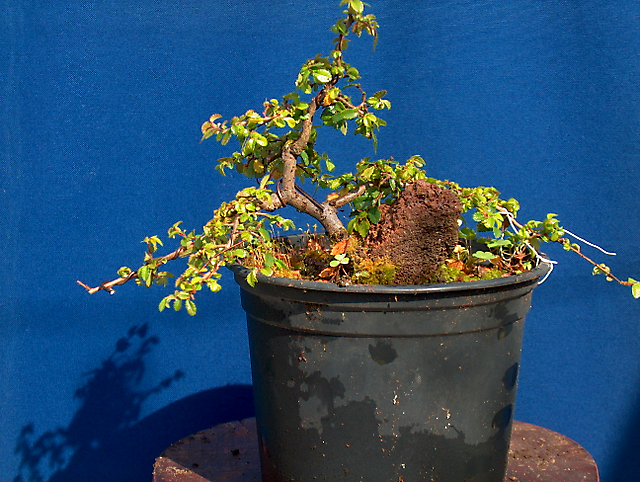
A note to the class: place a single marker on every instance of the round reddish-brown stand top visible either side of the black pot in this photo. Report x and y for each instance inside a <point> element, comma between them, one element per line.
<point>229,453</point>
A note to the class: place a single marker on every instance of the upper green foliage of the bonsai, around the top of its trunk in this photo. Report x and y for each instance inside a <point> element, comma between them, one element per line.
<point>261,137</point>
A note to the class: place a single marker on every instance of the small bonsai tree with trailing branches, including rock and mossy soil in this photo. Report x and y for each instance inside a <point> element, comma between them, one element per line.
<point>403,227</point>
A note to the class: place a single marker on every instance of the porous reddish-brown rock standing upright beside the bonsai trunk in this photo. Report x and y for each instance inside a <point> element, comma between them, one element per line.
<point>417,232</point>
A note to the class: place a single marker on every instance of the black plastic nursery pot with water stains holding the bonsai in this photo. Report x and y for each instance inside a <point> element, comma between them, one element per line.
<point>385,383</point>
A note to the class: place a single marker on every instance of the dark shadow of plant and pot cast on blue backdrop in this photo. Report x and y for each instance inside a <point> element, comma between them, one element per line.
<point>106,441</point>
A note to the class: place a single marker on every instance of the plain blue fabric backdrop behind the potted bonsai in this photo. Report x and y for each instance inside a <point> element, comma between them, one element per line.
<point>100,107</point>
